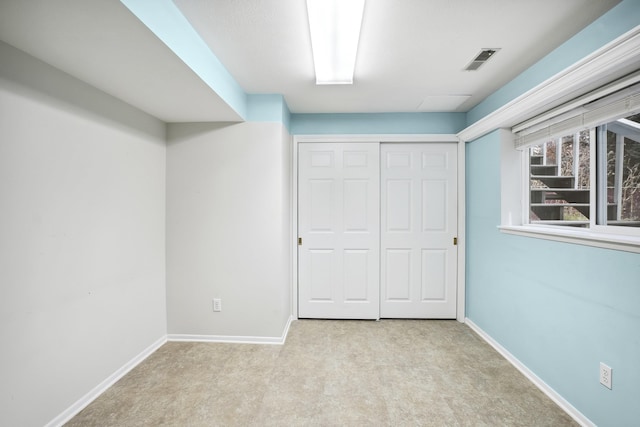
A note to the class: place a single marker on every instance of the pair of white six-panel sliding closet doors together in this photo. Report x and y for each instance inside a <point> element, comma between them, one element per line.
<point>377,224</point>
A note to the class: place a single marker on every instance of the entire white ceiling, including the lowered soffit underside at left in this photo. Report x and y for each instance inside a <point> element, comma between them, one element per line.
<point>411,54</point>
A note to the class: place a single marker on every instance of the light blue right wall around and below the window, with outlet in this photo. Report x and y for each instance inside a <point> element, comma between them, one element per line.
<point>561,309</point>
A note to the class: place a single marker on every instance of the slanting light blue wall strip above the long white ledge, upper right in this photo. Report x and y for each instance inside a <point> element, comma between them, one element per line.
<point>608,27</point>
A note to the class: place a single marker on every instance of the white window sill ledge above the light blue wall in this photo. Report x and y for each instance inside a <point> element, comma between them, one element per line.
<point>578,237</point>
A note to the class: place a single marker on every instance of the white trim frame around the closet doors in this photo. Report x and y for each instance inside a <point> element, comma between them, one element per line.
<point>381,138</point>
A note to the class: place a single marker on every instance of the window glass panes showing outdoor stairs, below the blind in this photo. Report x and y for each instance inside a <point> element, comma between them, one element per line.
<point>560,177</point>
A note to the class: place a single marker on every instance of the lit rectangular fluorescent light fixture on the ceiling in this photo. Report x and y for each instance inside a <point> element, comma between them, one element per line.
<point>335,32</point>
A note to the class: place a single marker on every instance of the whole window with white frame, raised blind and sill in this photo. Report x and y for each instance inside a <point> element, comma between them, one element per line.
<point>581,174</point>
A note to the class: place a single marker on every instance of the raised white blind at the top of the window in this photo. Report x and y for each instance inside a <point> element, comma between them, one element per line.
<point>619,104</point>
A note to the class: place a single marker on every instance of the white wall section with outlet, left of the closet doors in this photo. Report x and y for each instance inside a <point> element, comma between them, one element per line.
<point>228,228</point>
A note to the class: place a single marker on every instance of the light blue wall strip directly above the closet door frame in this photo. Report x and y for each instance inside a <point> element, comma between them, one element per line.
<point>377,123</point>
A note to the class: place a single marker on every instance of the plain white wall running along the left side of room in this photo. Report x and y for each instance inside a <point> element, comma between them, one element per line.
<point>82,241</point>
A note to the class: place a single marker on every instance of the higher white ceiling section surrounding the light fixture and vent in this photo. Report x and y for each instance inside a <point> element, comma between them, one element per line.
<point>411,54</point>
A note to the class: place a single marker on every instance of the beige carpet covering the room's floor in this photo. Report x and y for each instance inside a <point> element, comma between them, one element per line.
<point>329,373</point>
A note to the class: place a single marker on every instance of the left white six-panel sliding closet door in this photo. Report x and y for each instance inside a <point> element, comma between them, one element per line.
<point>339,224</point>
